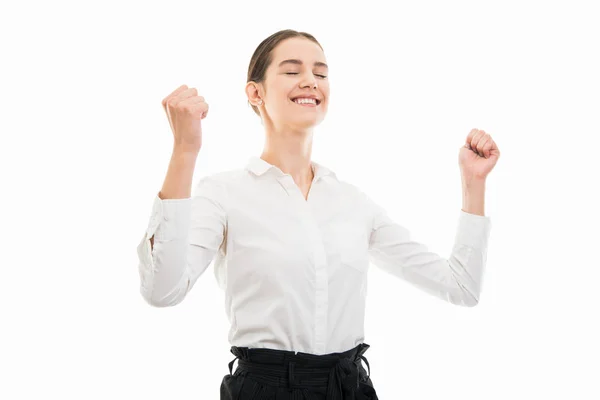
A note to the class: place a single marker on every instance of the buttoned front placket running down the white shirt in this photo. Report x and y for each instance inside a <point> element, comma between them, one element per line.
<point>315,239</point>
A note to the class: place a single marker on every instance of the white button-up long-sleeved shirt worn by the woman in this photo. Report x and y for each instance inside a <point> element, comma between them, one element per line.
<point>294,271</point>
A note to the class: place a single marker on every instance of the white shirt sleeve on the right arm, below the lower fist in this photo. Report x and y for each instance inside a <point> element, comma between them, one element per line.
<point>456,279</point>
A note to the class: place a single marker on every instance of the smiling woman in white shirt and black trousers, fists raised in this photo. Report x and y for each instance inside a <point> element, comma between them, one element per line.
<point>291,242</point>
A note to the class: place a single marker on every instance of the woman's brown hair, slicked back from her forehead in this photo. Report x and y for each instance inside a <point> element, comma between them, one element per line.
<point>261,59</point>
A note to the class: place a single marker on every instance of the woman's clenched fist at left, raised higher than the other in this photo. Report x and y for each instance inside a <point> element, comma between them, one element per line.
<point>185,109</point>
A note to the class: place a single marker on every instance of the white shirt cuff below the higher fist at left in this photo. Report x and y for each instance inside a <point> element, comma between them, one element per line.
<point>170,219</point>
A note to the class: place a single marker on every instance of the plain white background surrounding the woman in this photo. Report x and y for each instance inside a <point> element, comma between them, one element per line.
<point>86,144</point>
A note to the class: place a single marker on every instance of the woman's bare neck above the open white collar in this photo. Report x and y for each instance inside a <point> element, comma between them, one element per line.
<point>290,150</point>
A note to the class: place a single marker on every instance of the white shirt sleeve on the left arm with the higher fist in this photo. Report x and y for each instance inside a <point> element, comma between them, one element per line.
<point>187,234</point>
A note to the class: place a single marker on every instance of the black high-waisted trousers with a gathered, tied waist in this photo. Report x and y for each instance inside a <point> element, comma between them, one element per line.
<point>269,374</point>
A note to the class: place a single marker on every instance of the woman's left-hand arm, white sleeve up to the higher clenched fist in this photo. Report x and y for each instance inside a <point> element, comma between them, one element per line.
<point>184,231</point>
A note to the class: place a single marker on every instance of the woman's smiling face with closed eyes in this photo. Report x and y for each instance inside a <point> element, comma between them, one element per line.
<point>298,70</point>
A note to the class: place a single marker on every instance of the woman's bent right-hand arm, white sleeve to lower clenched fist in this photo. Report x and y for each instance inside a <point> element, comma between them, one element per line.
<point>456,279</point>
